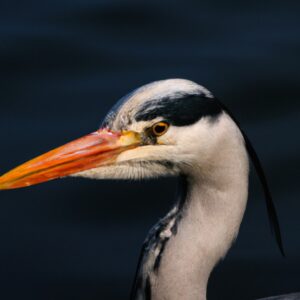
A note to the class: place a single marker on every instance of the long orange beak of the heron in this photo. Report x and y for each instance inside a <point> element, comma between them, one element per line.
<point>96,149</point>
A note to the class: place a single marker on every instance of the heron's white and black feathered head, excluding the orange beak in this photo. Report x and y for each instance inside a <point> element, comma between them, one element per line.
<point>177,123</point>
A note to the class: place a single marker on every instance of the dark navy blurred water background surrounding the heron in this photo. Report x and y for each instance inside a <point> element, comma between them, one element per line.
<point>63,64</point>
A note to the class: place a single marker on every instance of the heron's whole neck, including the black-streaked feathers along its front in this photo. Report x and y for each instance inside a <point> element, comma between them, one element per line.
<point>183,248</point>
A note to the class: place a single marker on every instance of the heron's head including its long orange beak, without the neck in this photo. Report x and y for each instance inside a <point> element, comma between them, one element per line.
<point>164,128</point>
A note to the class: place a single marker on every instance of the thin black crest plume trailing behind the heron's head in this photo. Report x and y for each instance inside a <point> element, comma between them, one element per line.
<point>273,218</point>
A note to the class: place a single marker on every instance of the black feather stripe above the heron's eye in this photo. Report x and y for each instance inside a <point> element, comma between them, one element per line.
<point>179,112</point>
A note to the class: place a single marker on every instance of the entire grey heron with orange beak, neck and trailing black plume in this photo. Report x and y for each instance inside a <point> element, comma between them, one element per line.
<point>171,127</point>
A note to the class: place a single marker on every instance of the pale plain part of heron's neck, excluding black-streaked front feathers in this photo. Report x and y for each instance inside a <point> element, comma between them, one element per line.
<point>211,216</point>
